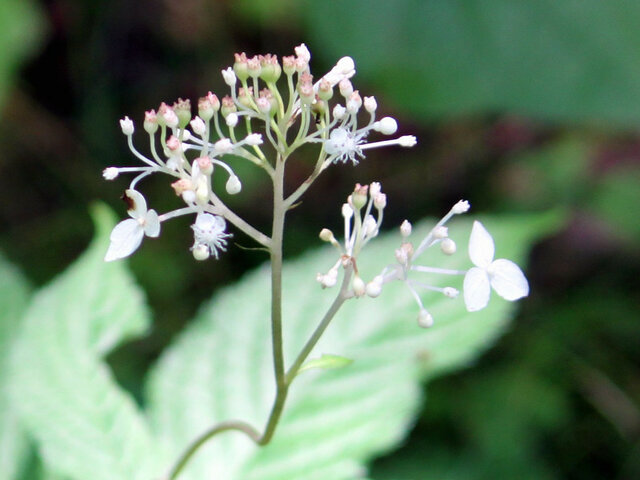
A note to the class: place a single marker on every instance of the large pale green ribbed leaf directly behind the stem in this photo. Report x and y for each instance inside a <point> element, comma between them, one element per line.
<point>334,421</point>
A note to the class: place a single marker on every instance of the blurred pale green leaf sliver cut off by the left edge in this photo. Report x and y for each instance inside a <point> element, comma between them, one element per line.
<point>14,291</point>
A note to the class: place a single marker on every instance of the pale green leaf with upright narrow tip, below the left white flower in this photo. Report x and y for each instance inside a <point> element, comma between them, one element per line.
<point>85,425</point>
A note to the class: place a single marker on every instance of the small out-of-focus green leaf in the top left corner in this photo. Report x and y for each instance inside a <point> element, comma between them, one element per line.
<point>21,30</point>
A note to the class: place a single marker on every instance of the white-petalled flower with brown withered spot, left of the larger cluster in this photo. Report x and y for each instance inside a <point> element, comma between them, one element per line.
<point>127,235</point>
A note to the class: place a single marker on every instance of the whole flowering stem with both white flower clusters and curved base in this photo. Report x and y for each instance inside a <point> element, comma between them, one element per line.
<point>274,108</point>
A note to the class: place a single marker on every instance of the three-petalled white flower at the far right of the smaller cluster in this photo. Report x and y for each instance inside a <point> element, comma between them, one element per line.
<point>503,275</point>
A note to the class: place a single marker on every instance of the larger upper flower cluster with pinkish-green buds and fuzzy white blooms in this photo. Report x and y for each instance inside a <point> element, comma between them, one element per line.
<point>193,148</point>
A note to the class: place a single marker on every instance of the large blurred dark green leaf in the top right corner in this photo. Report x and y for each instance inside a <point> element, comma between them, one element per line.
<point>572,60</point>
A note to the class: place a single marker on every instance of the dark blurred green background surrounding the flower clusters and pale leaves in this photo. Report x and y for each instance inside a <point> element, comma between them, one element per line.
<point>518,106</point>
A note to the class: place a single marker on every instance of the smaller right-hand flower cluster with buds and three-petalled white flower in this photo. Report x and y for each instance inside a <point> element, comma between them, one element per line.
<point>504,276</point>
